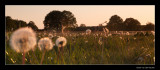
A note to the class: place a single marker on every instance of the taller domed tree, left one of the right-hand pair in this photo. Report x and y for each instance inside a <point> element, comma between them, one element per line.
<point>115,23</point>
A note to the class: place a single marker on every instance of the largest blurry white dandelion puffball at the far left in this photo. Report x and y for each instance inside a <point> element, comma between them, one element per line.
<point>23,39</point>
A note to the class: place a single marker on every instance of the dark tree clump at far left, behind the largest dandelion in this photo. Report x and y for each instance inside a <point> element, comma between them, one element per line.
<point>12,24</point>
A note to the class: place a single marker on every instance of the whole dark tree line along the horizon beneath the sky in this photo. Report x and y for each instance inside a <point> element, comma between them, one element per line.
<point>65,20</point>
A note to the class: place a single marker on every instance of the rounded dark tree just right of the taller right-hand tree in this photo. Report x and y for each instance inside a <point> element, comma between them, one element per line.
<point>132,24</point>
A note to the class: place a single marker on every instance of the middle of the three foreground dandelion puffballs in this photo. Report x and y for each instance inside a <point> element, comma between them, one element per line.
<point>45,43</point>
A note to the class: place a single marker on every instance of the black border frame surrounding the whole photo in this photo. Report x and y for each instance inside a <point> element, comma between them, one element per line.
<point>82,2</point>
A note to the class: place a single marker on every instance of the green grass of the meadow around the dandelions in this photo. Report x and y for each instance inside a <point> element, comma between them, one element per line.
<point>79,51</point>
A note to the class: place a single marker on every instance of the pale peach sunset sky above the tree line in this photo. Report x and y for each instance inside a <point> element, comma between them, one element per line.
<point>90,15</point>
